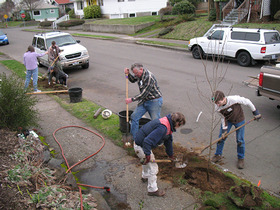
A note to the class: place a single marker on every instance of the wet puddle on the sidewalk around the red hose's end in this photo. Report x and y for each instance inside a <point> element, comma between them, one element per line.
<point>100,176</point>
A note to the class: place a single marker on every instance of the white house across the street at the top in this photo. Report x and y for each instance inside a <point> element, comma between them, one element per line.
<point>121,8</point>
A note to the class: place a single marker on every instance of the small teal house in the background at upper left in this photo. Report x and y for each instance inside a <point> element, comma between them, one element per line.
<point>45,11</point>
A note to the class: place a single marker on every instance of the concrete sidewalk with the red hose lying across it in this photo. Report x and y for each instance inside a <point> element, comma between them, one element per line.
<point>122,173</point>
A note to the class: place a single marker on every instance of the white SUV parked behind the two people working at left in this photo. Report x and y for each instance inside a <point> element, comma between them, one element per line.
<point>73,53</point>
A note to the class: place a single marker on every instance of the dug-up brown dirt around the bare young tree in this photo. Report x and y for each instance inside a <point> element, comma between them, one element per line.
<point>195,176</point>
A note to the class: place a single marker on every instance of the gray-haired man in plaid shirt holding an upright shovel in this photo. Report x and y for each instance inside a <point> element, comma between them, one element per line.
<point>149,99</point>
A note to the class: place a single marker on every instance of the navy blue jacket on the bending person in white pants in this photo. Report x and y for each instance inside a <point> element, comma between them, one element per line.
<point>154,133</point>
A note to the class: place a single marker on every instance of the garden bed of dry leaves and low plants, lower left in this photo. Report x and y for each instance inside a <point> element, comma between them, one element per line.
<point>27,183</point>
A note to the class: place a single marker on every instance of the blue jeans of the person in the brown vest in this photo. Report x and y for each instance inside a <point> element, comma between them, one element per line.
<point>239,140</point>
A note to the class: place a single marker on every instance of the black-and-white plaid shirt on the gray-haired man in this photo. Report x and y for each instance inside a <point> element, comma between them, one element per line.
<point>148,87</point>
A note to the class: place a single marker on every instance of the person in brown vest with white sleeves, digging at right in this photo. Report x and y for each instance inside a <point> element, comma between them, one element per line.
<point>229,107</point>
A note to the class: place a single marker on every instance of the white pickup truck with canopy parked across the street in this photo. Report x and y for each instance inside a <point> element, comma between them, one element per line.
<point>245,45</point>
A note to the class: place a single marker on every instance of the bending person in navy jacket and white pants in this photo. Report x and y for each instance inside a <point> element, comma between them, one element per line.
<point>155,133</point>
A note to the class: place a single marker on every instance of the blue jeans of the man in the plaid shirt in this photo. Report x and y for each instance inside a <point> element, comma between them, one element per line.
<point>153,107</point>
